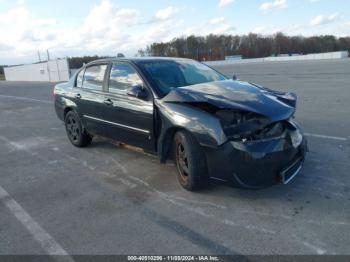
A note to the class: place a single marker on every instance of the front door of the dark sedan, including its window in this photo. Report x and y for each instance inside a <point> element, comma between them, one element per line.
<point>129,119</point>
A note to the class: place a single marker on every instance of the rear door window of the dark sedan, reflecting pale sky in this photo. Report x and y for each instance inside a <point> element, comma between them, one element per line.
<point>93,77</point>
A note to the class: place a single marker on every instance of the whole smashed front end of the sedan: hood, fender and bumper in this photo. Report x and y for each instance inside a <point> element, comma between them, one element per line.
<point>246,131</point>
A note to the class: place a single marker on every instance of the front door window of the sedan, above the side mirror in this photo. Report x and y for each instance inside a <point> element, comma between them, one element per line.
<point>123,76</point>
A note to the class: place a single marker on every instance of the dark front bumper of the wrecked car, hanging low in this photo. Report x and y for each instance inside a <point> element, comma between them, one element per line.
<point>262,163</point>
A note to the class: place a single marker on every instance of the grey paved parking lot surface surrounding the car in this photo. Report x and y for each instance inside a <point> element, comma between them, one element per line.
<point>108,199</point>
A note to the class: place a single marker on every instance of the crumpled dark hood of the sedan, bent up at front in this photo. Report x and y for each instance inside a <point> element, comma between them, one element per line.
<point>239,95</point>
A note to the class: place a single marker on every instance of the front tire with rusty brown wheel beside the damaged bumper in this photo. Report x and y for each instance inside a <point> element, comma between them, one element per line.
<point>190,162</point>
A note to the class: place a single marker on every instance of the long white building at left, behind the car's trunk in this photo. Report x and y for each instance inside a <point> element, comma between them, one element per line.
<point>52,71</point>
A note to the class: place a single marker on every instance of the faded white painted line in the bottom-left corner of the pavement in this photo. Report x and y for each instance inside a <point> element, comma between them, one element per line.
<point>47,242</point>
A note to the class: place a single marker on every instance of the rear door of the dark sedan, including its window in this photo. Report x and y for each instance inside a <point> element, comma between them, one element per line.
<point>91,97</point>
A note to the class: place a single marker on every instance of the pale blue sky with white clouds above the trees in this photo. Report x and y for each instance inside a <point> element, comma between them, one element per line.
<point>106,27</point>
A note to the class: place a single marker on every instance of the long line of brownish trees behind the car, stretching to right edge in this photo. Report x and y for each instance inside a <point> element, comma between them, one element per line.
<point>216,47</point>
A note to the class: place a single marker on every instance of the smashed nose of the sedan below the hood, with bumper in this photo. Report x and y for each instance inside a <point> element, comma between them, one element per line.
<point>260,153</point>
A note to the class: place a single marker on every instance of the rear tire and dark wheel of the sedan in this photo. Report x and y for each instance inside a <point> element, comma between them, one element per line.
<point>75,131</point>
